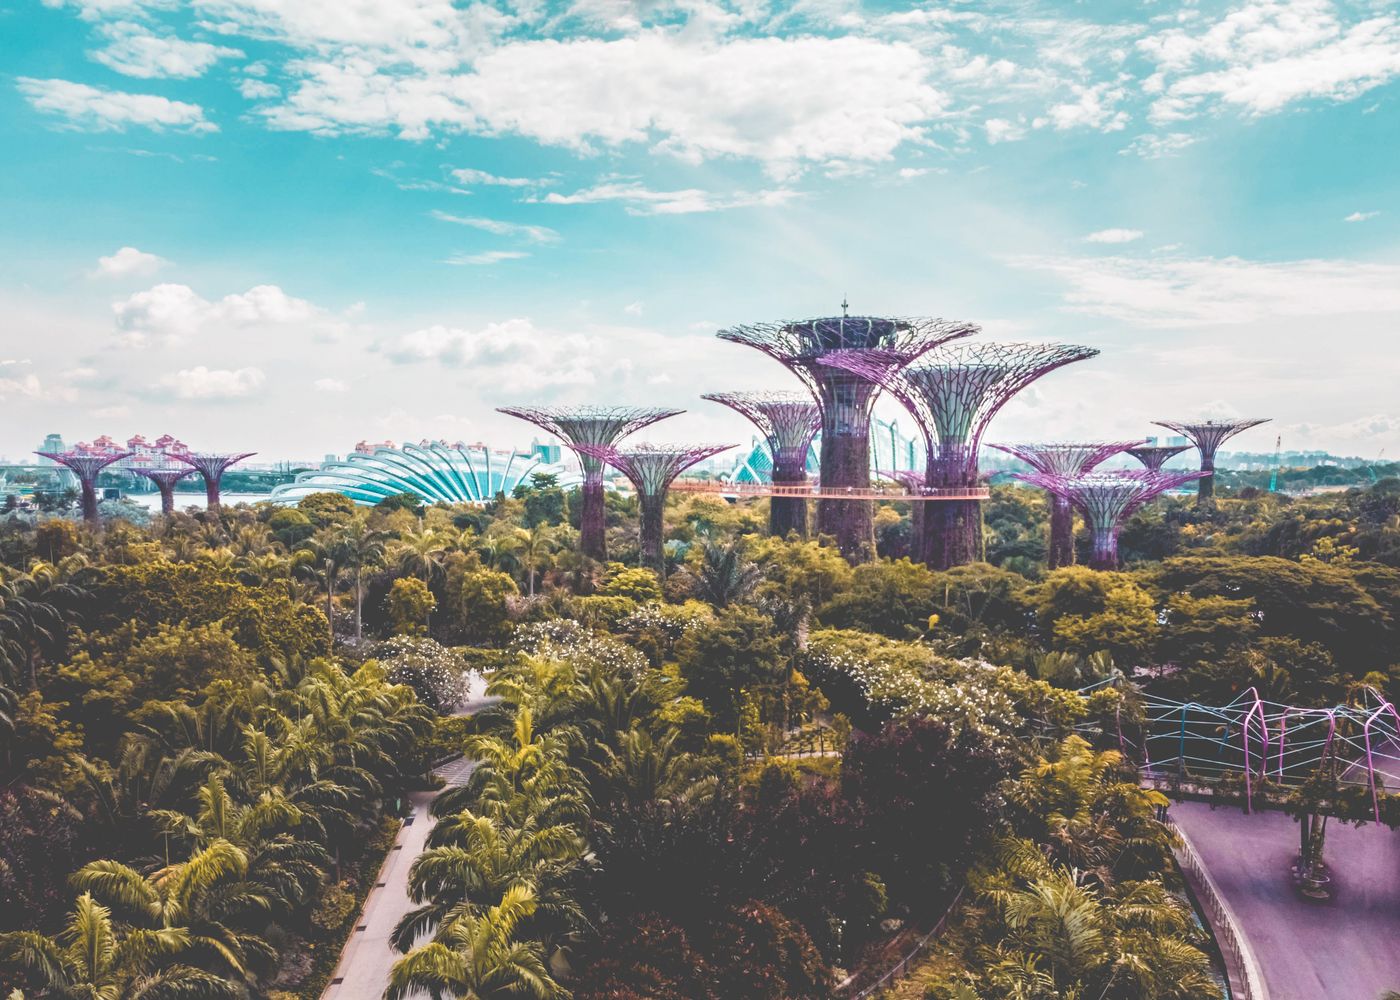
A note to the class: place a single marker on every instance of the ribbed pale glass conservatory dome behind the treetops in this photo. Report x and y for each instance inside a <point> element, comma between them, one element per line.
<point>436,471</point>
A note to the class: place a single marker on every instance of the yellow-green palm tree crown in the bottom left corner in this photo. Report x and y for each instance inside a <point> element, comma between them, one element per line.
<point>93,960</point>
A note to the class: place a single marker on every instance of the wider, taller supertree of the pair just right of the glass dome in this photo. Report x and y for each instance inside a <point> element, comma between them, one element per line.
<point>584,428</point>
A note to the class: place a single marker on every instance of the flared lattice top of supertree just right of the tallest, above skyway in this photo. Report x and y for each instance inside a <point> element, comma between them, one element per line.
<point>955,391</point>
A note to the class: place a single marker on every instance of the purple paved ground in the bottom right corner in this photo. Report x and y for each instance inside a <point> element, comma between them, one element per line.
<point>1345,950</point>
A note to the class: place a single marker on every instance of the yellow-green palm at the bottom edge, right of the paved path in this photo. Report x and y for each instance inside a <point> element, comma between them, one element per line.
<point>477,957</point>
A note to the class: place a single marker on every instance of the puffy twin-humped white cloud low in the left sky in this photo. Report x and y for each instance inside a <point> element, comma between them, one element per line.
<point>176,313</point>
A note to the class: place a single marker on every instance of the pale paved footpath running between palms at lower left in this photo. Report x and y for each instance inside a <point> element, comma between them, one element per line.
<point>363,973</point>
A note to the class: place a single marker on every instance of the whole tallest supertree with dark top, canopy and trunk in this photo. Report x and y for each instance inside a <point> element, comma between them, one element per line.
<point>846,398</point>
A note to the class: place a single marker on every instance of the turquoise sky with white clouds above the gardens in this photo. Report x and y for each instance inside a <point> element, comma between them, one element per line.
<point>289,226</point>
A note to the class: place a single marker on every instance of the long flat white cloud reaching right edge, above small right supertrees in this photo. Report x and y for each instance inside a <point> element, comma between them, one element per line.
<point>1205,292</point>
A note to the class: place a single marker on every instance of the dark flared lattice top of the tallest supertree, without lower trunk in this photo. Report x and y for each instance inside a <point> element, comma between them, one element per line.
<point>845,397</point>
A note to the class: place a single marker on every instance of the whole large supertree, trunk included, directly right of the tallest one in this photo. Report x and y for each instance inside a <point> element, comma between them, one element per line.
<point>954,394</point>
